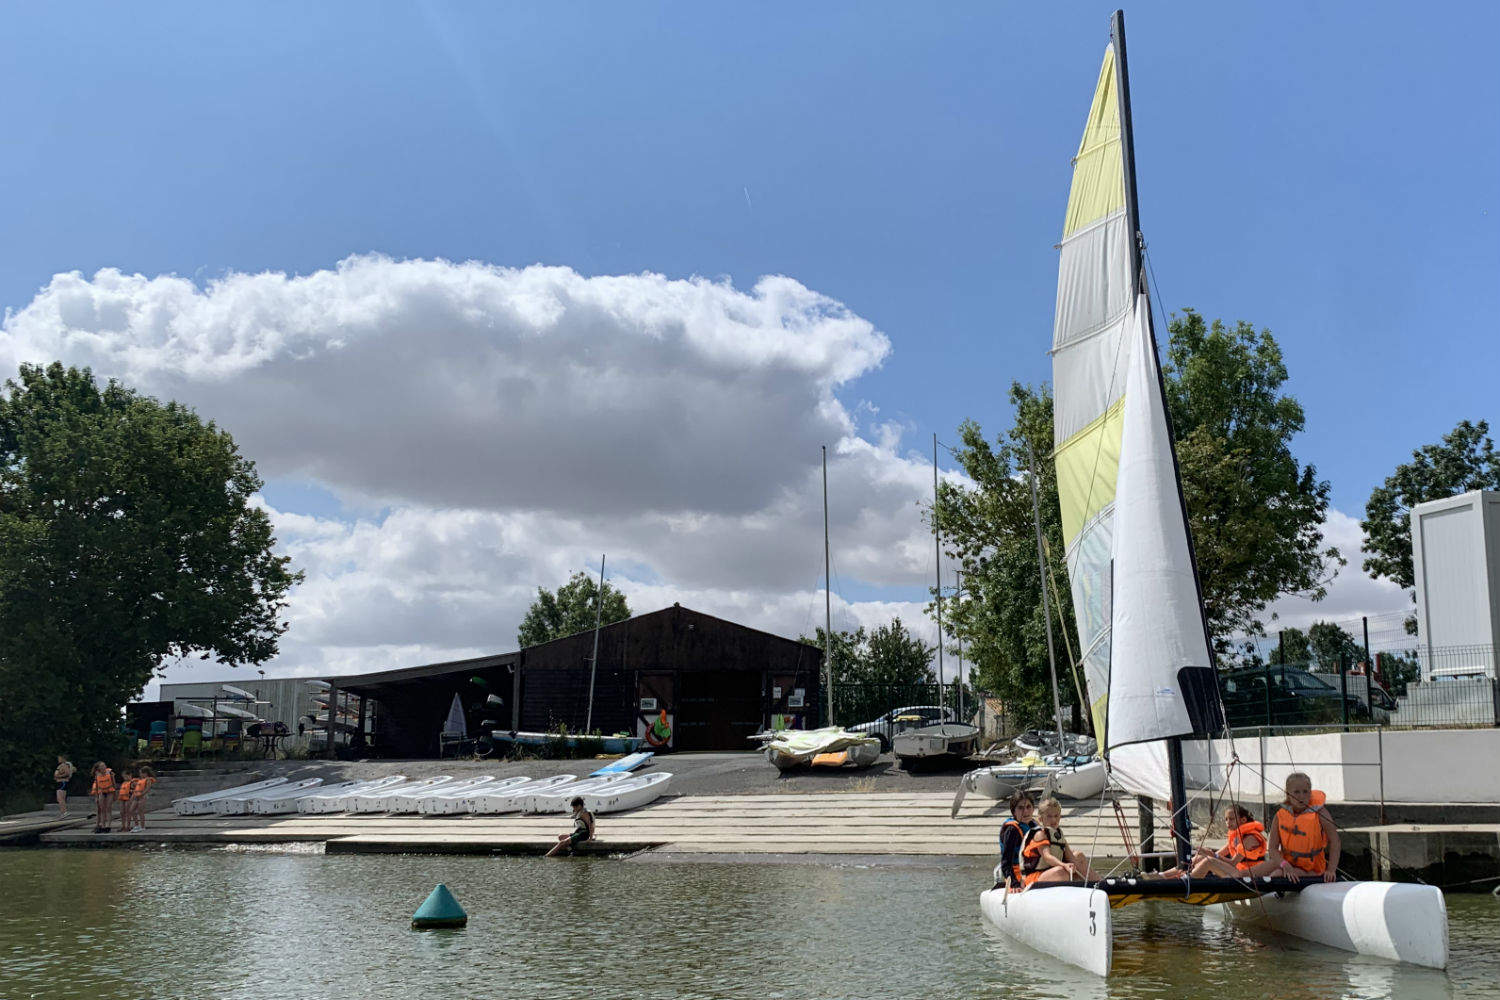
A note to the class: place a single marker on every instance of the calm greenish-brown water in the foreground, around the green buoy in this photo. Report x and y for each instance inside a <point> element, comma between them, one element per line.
<point>254,924</point>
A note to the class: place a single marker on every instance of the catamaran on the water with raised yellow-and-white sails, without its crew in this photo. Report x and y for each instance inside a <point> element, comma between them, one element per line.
<point>1147,654</point>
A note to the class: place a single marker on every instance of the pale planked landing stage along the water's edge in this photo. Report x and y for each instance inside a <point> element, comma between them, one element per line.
<point>839,824</point>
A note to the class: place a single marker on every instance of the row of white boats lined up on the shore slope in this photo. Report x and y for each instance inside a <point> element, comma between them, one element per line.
<point>440,795</point>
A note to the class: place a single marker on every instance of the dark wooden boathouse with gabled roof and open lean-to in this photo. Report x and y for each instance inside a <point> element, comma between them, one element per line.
<point>716,681</point>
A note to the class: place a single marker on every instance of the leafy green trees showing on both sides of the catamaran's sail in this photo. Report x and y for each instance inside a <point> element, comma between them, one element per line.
<point>1256,513</point>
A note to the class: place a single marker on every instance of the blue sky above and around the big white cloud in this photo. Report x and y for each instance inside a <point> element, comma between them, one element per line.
<point>1328,172</point>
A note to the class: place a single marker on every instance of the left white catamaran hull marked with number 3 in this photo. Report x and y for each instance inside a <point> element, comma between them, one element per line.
<point>1067,923</point>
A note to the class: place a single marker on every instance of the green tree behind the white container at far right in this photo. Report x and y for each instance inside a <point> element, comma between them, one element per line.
<point>1465,461</point>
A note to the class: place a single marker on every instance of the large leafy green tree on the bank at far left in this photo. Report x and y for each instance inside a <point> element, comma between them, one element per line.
<point>128,536</point>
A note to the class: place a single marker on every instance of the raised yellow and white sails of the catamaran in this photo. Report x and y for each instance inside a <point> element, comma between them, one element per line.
<point>1135,590</point>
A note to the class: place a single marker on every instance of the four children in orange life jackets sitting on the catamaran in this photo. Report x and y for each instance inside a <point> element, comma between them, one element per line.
<point>1303,843</point>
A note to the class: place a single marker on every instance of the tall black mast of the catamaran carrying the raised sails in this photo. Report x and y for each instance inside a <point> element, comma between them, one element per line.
<point>1181,825</point>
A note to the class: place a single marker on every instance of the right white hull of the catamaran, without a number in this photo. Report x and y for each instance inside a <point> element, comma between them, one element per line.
<point>1388,920</point>
